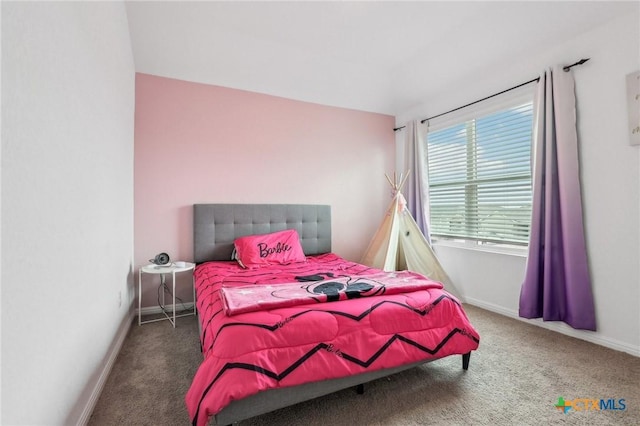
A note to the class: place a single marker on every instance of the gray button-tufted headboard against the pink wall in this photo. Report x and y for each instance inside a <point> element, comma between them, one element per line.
<point>216,226</point>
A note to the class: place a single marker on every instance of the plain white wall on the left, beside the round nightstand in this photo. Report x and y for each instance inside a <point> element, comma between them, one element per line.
<point>67,202</point>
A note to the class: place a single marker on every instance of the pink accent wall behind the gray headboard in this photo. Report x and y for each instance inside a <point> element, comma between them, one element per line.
<point>197,143</point>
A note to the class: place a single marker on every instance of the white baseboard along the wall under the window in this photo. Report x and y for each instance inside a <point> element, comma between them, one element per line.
<point>559,327</point>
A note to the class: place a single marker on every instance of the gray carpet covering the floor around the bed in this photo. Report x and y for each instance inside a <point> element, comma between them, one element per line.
<point>515,378</point>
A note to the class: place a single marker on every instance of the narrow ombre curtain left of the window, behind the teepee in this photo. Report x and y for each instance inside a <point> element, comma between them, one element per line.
<point>414,189</point>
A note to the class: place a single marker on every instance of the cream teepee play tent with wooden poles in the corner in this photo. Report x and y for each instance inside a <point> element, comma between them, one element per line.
<point>400,245</point>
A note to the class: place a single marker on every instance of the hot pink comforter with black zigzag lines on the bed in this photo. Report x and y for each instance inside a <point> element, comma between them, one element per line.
<point>287,346</point>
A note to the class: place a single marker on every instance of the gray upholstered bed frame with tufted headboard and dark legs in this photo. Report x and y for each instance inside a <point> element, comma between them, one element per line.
<point>215,227</point>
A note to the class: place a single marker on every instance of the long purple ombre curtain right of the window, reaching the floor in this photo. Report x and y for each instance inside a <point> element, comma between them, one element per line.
<point>557,285</point>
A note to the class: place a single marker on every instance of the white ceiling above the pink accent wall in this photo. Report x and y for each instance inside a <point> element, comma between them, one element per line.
<point>373,56</point>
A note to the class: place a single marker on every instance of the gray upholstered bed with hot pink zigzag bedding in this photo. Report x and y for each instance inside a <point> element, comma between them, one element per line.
<point>315,346</point>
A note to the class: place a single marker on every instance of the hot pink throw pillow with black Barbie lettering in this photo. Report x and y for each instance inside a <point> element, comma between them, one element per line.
<point>282,247</point>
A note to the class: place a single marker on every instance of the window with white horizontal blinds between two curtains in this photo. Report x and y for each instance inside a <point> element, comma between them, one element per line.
<point>479,170</point>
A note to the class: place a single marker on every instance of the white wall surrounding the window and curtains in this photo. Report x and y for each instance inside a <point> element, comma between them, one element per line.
<point>610,170</point>
